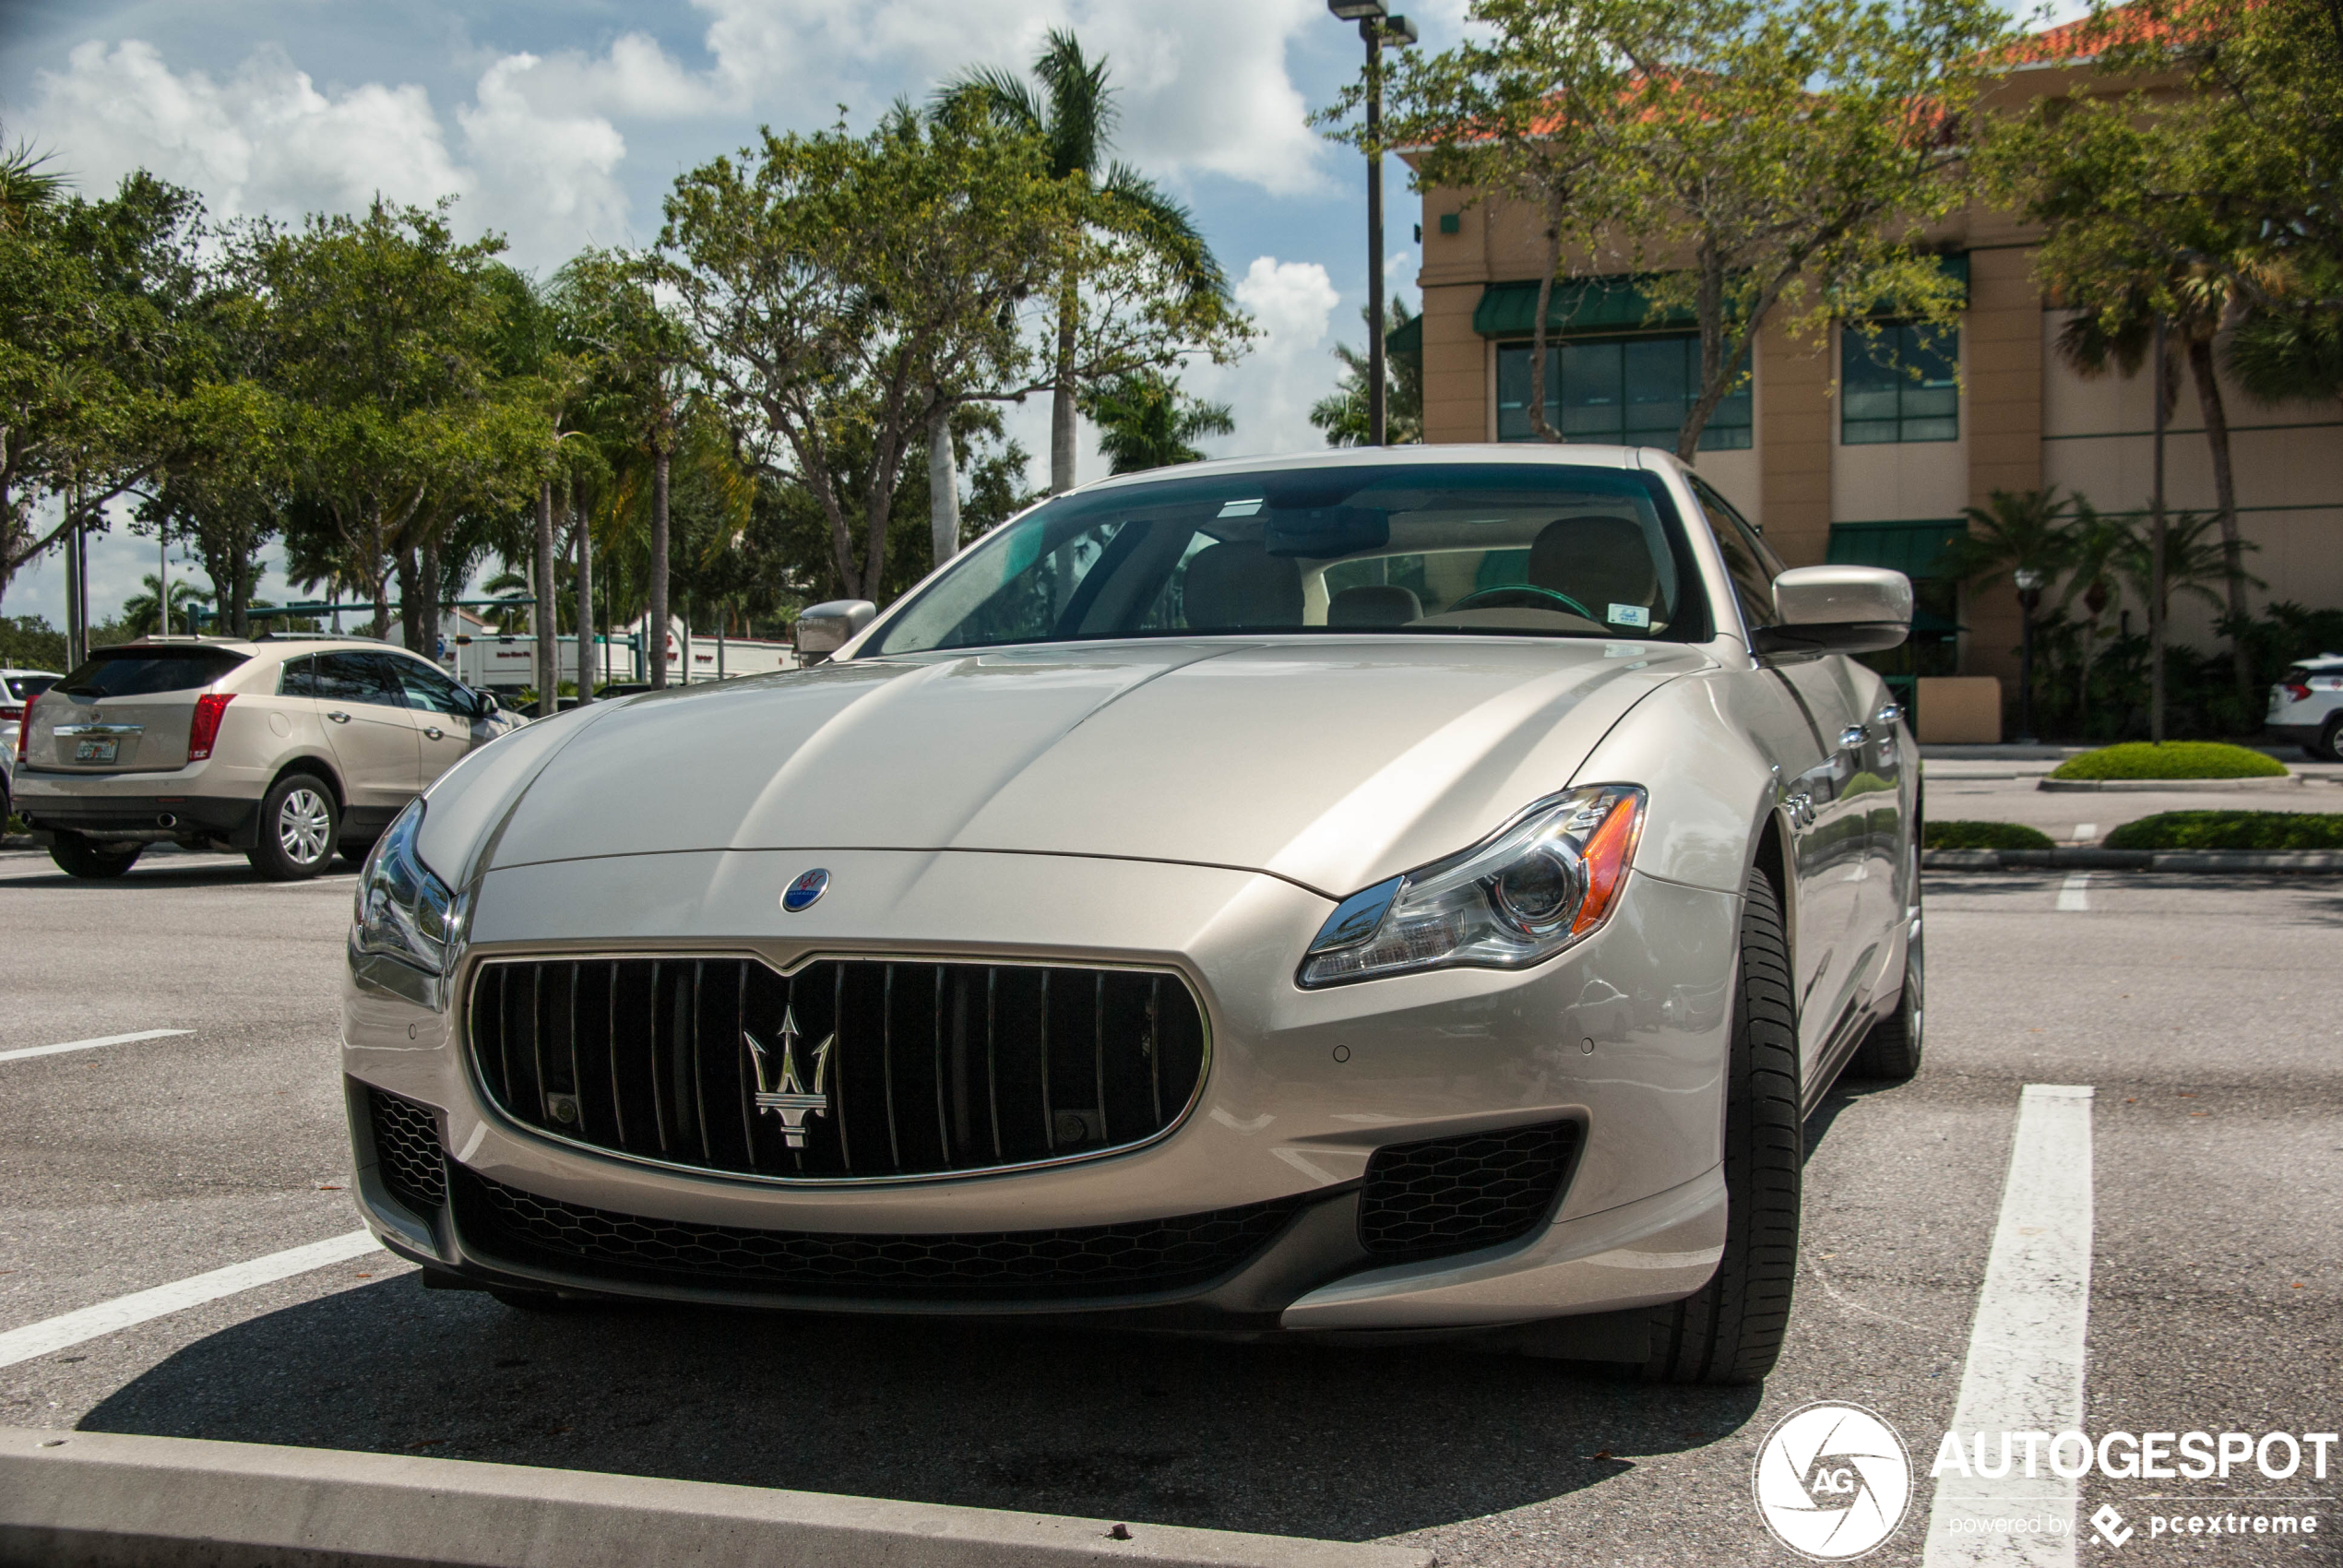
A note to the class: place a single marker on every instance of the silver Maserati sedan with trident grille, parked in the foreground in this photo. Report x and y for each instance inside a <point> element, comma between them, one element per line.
<point>1377,894</point>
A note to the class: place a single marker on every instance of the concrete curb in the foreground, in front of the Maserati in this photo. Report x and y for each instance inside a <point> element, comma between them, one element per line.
<point>114,1501</point>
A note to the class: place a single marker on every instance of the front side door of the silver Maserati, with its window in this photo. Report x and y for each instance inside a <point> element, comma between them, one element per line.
<point>1798,716</point>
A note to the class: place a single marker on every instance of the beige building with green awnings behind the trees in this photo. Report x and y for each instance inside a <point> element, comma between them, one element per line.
<point>1838,451</point>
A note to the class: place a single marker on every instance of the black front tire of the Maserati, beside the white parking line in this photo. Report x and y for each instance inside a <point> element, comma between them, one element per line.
<point>1733,1330</point>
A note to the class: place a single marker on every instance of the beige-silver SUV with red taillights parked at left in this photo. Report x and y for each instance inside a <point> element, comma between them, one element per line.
<point>282,749</point>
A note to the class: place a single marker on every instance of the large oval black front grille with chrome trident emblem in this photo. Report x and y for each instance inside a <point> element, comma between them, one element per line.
<point>842,1070</point>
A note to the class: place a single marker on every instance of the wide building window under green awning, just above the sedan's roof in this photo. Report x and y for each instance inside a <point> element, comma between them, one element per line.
<point>1618,390</point>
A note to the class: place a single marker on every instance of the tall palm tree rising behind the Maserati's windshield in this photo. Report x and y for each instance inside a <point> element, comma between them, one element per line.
<point>1074,116</point>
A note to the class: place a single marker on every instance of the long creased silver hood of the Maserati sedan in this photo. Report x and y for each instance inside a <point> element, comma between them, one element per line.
<point>1330,763</point>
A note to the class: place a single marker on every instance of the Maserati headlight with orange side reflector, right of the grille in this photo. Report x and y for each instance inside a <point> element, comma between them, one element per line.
<point>1517,899</point>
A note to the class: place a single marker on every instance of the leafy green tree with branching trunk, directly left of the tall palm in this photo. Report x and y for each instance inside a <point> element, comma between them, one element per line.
<point>842,285</point>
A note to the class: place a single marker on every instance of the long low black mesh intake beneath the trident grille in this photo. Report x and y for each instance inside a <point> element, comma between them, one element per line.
<point>1126,1260</point>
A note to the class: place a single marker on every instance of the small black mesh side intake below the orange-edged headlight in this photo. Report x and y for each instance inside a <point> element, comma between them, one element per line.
<point>1463,1192</point>
